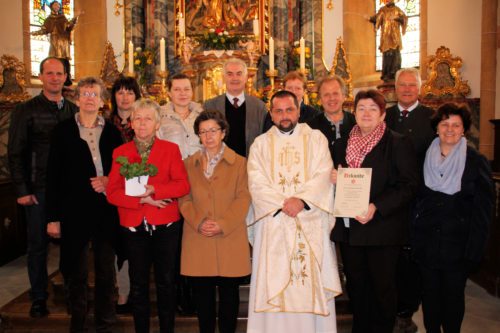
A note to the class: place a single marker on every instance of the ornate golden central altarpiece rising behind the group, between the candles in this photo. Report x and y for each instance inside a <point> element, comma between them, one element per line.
<point>248,20</point>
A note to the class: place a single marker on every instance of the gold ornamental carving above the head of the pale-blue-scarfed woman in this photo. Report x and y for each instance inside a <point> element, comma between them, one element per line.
<point>444,78</point>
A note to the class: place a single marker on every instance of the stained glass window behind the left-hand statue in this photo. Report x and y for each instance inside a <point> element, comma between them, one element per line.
<point>39,11</point>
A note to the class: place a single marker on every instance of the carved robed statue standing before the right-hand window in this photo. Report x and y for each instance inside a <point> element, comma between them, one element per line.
<point>392,21</point>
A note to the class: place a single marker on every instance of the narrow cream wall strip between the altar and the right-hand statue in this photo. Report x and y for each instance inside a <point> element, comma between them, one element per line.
<point>332,28</point>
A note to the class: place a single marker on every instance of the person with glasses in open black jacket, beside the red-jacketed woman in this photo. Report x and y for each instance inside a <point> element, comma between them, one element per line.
<point>80,159</point>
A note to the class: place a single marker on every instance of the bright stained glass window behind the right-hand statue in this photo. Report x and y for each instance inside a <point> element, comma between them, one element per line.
<point>410,54</point>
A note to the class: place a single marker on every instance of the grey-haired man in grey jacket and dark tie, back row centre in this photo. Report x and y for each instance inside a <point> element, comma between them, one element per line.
<point>244,113</point>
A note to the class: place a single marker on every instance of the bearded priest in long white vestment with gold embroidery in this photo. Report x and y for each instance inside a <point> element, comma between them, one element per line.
<point>294,273</point>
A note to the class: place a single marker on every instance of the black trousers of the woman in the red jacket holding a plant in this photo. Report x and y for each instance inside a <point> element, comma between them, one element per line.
<point>144,249</point>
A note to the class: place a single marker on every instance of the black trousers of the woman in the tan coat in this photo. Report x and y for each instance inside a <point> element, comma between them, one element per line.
<point>229,300</point>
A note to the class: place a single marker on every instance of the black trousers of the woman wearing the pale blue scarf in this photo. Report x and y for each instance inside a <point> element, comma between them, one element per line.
<point>443,300</point>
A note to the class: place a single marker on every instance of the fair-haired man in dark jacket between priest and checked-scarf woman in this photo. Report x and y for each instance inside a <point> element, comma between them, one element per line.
<point>333,122</point>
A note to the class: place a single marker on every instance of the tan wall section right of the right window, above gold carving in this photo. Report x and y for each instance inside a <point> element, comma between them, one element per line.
<point>456,24</point>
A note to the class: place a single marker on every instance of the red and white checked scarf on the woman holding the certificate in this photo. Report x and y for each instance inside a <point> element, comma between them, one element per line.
<point>359,146</point>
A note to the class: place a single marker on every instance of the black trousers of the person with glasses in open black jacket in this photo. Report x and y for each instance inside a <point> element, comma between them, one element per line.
<point>76,273</point>
